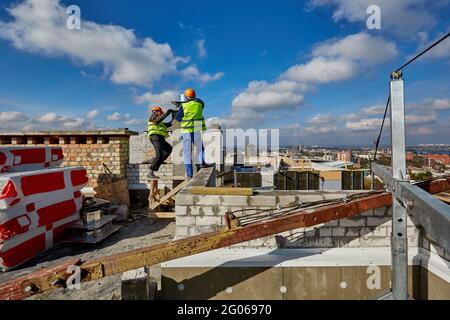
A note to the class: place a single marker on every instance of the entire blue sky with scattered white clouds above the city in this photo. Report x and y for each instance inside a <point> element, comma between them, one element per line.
<point>312,69</point>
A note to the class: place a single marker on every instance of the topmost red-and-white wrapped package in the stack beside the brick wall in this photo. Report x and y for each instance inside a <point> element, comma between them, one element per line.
<point>29,158</point>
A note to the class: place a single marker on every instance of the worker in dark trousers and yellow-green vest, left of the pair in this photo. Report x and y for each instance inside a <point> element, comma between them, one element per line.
<point>157,131</point>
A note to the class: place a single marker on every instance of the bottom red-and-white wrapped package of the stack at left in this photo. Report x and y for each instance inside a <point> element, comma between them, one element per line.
<point>21,248</point>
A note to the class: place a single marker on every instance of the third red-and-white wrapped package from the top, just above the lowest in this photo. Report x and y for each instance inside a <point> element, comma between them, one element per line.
<point>18,220</point>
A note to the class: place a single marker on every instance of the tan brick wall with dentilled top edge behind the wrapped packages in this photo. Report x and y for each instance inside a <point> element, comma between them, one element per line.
<point>82,148</point>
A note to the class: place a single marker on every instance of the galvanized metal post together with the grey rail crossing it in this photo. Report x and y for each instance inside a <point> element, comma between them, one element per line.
<point>429,213</point>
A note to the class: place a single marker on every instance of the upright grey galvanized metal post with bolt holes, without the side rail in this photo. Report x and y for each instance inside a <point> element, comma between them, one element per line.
<point>399,240</point>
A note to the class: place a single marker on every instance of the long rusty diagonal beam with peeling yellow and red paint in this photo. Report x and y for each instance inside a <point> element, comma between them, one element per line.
<point>57,277</point>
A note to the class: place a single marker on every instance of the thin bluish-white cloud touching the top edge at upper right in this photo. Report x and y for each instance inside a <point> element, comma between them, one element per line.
<point>403,17</point>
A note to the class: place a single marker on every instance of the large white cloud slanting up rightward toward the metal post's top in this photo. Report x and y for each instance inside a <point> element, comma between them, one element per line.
<point>333,60</point>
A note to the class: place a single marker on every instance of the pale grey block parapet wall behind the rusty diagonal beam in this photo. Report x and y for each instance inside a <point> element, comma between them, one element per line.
<point>197,214</point>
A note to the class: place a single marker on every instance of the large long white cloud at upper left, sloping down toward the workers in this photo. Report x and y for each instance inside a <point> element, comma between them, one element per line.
<point>39,26</point>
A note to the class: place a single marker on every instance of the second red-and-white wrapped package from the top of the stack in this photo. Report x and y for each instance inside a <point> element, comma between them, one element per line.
<point>39,185</point>
